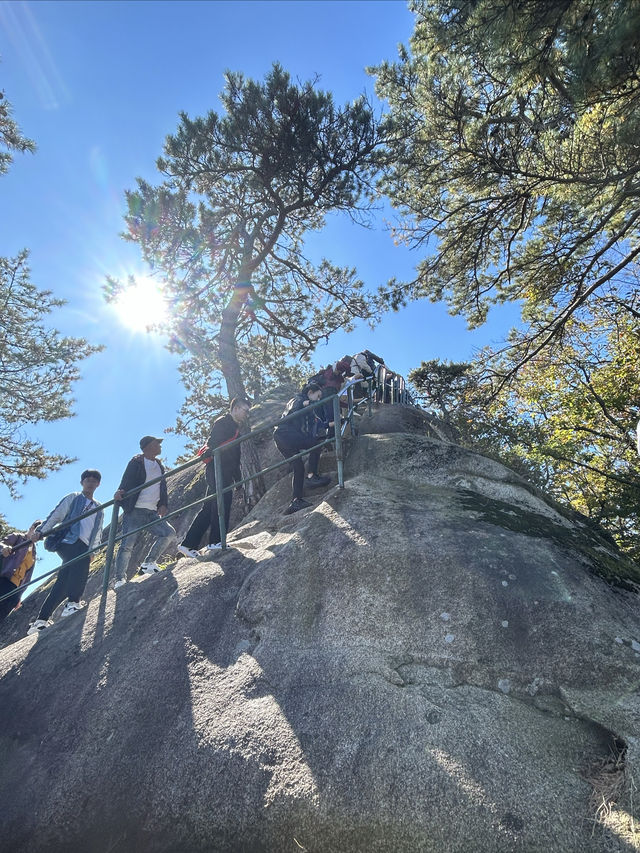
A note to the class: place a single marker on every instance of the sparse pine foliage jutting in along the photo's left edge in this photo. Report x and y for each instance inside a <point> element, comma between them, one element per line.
<point>38,366</point>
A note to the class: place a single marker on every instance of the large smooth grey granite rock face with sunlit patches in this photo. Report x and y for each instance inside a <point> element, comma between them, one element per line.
<point>427,660</point>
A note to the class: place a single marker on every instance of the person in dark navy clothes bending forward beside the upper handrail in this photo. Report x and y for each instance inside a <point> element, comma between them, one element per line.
<point>299,434</point>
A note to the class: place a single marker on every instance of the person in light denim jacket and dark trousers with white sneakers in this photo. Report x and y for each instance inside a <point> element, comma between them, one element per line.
<point>73,541</point>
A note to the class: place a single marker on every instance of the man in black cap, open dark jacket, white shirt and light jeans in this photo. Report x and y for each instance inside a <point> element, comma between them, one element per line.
<point>148,505</point>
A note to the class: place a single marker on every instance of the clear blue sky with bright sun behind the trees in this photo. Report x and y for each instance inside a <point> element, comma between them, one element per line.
<point>98,86</point>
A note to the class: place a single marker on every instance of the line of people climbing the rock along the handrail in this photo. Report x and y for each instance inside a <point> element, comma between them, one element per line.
<point>148,505</point>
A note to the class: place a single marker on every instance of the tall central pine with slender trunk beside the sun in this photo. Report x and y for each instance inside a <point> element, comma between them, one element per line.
<point>226,227</point>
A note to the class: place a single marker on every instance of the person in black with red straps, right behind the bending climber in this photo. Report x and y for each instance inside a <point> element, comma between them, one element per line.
<point>225,429</point>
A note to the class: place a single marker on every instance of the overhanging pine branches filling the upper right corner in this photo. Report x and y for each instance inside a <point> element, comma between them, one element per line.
<point>516,157</point>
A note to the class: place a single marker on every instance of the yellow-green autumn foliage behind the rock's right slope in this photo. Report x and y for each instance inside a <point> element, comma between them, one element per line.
<point>568,424</point>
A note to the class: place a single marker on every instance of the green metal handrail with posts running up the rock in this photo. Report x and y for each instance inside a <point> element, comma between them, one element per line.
<point>397,394</point>
